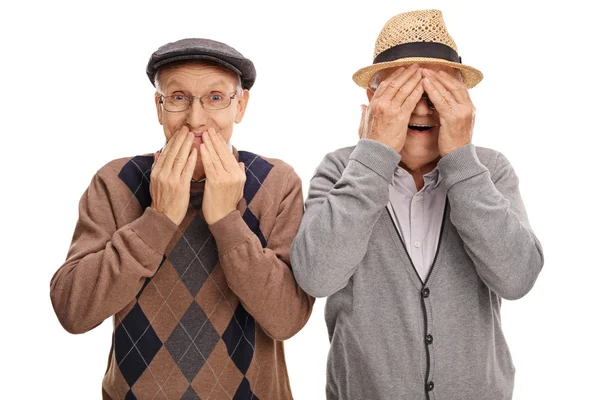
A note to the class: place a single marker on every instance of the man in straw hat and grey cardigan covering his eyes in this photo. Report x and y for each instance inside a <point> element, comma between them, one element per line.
<point>415,234</point>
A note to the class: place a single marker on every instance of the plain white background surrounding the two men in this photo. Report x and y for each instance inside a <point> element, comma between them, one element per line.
<point>61,63</point>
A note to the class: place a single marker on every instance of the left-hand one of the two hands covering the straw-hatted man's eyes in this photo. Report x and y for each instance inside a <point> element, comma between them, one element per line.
<point>388,114</point>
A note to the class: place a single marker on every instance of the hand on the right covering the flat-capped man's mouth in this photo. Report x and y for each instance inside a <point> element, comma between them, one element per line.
<point>225,178</point>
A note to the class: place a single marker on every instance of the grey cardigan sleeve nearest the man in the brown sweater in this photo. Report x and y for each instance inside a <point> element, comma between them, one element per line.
<point>345,200</point>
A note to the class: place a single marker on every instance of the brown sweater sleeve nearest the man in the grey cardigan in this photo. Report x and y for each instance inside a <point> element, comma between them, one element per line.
<point>262,277</point>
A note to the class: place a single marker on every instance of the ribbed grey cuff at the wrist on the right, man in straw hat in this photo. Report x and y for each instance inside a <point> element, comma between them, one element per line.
<point>460,164</point>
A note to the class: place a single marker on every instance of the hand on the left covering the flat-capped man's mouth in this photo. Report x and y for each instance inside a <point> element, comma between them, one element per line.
<point>171,175</point>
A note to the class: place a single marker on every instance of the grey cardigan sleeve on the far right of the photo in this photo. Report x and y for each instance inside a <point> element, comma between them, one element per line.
<point>487,210</point>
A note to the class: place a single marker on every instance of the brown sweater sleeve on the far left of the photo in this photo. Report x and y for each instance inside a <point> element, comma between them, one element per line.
<point>106,265</point>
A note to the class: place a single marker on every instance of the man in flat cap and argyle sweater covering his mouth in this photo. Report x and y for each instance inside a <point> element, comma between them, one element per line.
<point>188,249</point>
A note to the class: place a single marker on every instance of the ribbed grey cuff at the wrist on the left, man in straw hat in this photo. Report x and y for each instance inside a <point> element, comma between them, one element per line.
<point>376,156</point>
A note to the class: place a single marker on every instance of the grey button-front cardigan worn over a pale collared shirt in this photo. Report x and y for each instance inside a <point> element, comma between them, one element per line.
<point>393,336</point>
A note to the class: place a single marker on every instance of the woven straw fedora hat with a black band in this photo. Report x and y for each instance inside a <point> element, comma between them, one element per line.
<point>416,36</point>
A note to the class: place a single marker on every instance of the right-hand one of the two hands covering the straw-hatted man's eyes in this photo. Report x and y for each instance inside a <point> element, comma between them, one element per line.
<point>453,104</point>
